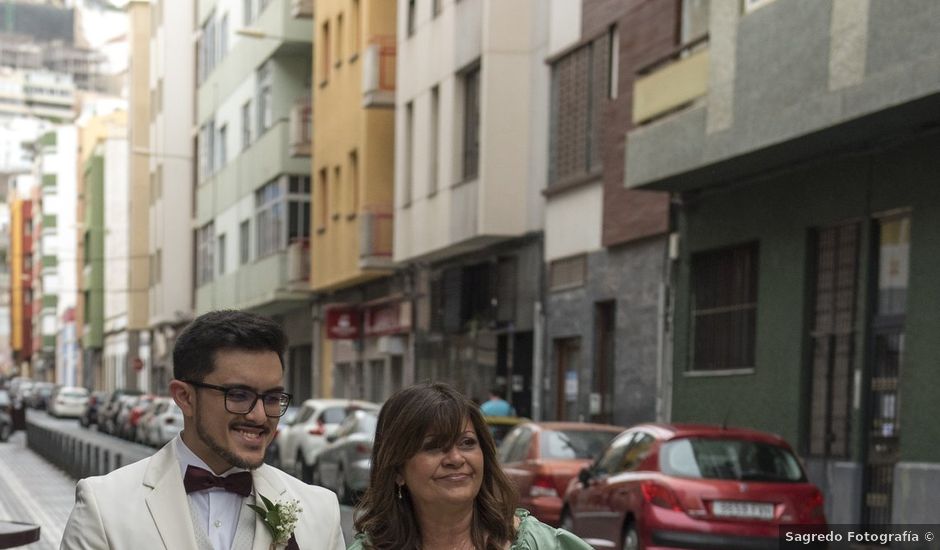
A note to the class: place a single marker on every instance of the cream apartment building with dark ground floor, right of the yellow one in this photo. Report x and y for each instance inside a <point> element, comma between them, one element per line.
<point>470,165</point>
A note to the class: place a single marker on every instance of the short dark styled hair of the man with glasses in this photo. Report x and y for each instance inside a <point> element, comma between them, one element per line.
<point>195,349</point>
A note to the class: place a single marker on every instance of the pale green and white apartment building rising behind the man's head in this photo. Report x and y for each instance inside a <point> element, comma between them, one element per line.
<point>252,199</point>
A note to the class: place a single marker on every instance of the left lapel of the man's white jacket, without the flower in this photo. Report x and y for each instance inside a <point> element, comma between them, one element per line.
<point>167,503</point>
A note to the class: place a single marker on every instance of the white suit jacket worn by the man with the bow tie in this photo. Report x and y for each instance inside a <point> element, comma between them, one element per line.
<point>143,506</point>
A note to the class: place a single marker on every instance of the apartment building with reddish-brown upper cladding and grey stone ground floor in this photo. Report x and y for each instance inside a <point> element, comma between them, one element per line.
<point>605,246</point>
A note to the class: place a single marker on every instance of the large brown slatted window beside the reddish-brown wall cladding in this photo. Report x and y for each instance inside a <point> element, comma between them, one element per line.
<point>581,81</point>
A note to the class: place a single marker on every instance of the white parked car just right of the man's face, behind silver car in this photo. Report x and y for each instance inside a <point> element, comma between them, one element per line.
<point>301,441</point>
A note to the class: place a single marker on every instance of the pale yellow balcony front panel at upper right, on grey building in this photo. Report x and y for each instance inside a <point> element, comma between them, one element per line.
<point>672,82</point>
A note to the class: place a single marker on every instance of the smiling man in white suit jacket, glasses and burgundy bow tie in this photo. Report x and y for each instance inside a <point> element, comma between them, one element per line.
<point>195,492</point>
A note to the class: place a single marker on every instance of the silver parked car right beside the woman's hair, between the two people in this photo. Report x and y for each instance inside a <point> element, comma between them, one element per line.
<point>344,464</point>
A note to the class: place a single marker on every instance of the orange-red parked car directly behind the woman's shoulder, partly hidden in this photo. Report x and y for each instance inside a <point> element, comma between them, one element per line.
<point>542,457</point>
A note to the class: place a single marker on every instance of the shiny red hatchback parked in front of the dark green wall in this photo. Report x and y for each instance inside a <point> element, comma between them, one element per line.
<point>660,487</point>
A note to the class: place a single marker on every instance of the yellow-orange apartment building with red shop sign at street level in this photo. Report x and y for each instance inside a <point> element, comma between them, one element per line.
<point>362,335</point>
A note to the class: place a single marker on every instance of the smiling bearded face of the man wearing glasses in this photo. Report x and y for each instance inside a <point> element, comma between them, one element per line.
<point>220,438</point>
